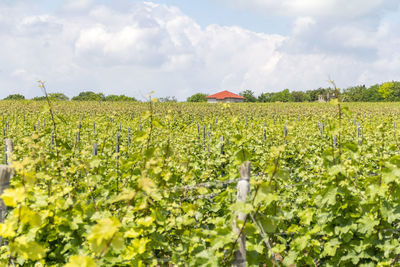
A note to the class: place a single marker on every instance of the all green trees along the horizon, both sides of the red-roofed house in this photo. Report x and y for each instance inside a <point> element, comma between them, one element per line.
<point>388,91</point>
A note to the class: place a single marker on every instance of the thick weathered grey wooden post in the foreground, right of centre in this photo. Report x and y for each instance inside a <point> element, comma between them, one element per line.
<point>243,189</point>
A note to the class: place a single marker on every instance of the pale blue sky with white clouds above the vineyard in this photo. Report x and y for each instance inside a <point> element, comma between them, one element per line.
<point>182,47</point>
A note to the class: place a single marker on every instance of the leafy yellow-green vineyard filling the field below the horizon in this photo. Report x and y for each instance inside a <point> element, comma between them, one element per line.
<point>155,184</point>
